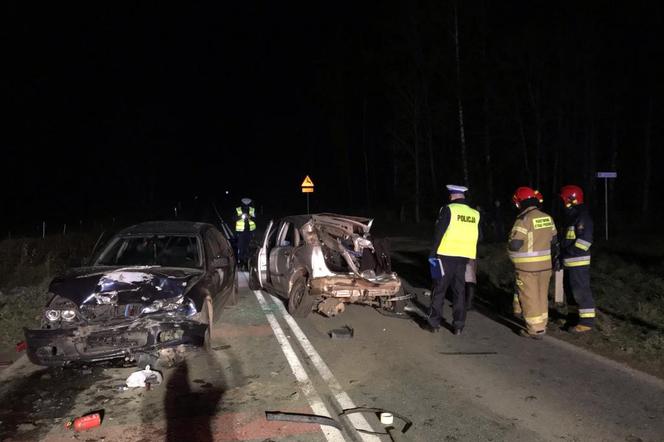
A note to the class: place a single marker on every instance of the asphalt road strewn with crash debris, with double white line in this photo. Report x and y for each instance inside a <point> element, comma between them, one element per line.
<point>487,384</point>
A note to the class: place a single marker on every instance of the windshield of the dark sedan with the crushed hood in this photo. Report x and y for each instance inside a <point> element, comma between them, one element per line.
<point>161,250</point>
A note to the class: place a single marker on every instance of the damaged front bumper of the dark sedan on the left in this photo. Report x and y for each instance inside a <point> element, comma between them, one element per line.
<point>101,342</point>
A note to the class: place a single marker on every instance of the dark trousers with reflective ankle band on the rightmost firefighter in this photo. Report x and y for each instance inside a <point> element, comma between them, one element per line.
<point>580,303</point>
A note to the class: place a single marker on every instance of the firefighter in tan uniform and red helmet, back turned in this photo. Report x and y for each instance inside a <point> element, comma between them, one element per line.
<point>532,248</point>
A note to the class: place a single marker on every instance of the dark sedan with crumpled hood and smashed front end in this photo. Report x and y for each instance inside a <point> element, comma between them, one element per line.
<point>149,293</point>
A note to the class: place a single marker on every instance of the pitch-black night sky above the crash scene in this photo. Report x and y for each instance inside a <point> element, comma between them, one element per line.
<point>125,111</point>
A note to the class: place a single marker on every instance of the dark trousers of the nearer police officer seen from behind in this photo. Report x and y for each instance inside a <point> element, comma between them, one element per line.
<point>454,278</point>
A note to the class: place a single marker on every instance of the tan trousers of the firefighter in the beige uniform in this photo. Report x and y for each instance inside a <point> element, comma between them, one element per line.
<point>533,290</point>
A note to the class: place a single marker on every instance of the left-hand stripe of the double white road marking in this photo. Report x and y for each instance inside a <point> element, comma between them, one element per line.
<point>315,402</point>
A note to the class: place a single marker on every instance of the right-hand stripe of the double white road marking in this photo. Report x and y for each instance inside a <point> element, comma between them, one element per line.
<point>342,398</point>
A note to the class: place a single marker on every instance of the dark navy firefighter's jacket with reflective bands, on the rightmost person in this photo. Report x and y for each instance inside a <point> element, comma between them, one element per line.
<point>577,237</point>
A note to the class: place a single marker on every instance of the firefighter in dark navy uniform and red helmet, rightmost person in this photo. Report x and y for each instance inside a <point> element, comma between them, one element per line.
<point>577,238</point>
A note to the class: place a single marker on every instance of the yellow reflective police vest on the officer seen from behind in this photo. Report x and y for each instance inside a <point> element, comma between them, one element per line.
<point>460,238</point>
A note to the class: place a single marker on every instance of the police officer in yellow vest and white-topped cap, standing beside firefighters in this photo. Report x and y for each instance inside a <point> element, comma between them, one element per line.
<point>455,242</point>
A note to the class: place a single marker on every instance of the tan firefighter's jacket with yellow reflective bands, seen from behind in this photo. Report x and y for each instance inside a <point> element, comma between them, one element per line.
<point>531,241</point>
